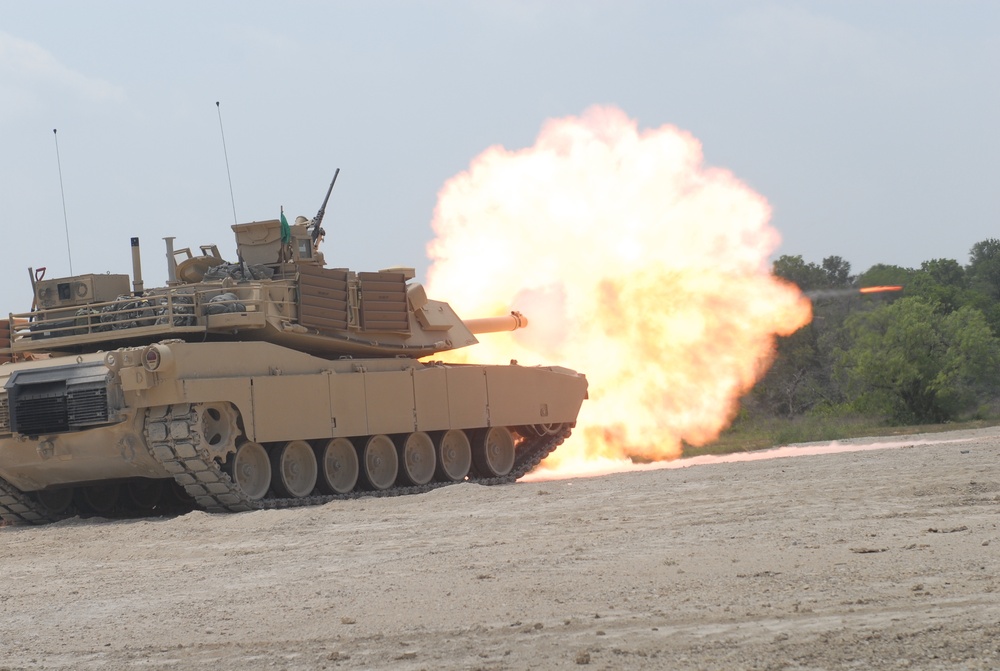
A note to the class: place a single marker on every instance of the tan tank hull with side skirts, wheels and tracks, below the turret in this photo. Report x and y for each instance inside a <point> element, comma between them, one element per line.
<point>243,425</point>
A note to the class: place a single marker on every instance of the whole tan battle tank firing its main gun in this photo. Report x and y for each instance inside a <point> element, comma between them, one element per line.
<point>269,382</point>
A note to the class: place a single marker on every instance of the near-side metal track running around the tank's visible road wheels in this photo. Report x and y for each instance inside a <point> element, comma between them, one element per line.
<point>173,439</point>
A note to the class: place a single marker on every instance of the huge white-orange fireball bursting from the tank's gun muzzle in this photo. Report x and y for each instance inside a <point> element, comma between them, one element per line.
<point>635,264</point>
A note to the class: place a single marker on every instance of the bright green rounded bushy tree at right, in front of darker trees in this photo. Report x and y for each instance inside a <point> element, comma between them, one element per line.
<point>911,363</point>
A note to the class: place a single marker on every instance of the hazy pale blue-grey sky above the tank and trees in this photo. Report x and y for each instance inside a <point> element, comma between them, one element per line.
<point>872,128</point>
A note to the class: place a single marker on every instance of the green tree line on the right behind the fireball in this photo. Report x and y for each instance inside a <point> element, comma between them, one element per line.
<point>928,354</point>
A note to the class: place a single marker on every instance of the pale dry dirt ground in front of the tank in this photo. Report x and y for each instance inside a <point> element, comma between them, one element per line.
<point>884,558</point>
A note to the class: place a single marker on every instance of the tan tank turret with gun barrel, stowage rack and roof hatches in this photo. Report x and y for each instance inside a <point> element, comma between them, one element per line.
<point>276,290</point>
